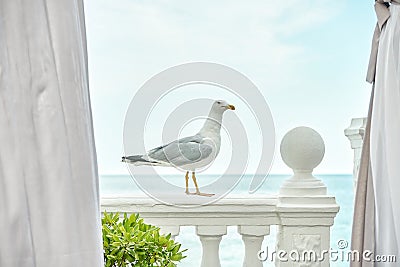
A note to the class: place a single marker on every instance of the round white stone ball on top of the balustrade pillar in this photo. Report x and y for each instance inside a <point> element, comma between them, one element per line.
<point>302,149</point>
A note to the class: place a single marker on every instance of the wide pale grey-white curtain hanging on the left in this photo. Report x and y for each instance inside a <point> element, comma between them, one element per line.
<point>49,199</point>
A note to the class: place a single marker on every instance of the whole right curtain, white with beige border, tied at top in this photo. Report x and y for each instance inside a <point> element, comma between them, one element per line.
<point>376,224</point>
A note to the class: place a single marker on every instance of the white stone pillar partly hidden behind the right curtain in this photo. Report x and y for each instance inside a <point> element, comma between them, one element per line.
<point>355,133</point>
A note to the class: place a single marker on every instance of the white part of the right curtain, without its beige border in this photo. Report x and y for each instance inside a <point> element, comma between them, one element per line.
<point>385,139</point>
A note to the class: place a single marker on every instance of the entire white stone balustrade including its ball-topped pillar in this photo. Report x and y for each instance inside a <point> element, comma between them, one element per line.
<point>302,210</point>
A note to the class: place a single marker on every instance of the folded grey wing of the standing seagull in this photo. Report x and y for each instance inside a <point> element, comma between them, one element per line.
<point>181,152</point>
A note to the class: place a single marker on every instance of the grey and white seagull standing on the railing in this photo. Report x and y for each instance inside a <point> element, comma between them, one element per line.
<point>189,153</point>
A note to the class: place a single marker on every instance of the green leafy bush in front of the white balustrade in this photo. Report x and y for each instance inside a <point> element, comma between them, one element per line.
<point>130,242</point>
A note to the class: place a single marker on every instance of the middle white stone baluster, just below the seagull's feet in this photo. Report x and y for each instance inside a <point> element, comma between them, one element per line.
<point>210,237</point>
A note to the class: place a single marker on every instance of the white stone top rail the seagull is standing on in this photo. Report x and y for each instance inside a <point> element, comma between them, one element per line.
<point>231,210</point>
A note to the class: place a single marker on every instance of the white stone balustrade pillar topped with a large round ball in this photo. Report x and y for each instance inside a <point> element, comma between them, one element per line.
<point>305,210</point>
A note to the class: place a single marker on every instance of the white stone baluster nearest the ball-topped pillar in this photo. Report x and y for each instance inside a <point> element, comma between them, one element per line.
<point>252,237</point>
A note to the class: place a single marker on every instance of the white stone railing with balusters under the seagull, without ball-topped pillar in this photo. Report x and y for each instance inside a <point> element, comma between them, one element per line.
<point>253,214</point>
